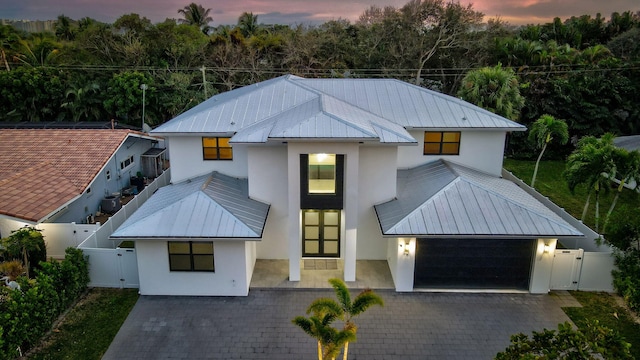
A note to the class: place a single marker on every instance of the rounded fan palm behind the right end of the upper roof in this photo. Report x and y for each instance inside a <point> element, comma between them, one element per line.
<point>495,89</point>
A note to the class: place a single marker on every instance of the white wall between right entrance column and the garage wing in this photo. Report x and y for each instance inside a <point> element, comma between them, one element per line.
<point>377,184</point>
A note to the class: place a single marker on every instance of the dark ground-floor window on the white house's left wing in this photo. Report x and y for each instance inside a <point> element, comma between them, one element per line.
<point>191,256</point>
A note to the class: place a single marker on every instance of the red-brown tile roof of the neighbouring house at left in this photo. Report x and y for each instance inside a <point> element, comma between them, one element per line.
<point>42,169</point>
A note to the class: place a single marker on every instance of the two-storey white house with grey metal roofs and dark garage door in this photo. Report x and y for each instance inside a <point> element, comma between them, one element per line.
<point>354,169</point>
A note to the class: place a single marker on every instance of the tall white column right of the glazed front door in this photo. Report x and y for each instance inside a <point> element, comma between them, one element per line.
<point>351,214</point>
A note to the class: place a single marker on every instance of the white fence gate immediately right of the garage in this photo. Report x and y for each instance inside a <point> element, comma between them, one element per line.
<point>565,274</point>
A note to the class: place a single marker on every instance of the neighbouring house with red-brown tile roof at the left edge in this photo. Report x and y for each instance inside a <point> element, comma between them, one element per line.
<point>64,175</point>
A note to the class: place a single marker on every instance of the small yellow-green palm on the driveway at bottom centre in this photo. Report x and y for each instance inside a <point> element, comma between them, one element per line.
<point>325,311</point>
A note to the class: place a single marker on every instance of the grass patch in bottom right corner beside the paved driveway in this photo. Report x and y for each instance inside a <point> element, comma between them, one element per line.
<point>603,307</point>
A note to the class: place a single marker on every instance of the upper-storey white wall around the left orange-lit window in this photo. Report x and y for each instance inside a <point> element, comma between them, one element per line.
<point>186,159</point>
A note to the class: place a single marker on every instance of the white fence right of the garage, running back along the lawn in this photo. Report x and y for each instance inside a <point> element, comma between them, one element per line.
<point>595,267</point>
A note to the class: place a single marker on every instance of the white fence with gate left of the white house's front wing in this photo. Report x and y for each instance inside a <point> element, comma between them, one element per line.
<point>110,266</point>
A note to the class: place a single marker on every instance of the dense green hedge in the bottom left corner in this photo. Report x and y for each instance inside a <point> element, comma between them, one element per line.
<point>28,313</point>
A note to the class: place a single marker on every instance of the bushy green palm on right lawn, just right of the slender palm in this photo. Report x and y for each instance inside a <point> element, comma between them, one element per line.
<point>591,164</point>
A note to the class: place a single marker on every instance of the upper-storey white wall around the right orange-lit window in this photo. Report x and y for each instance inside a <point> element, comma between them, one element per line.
<point>482,150</point>
